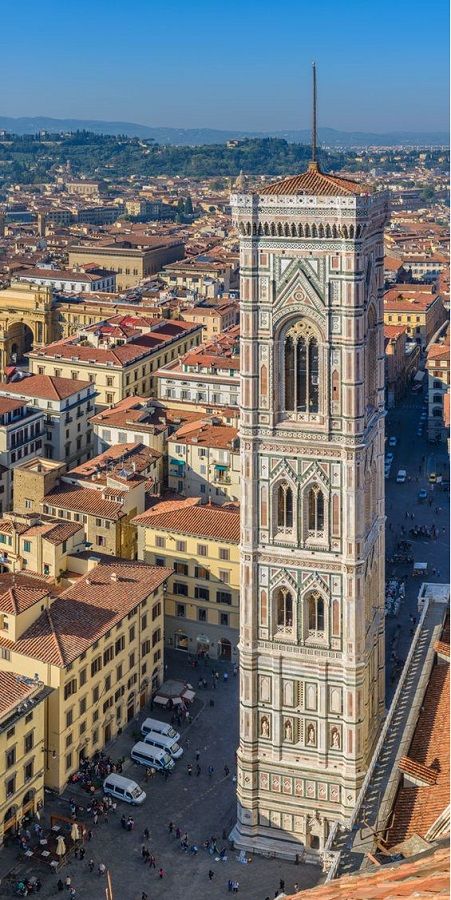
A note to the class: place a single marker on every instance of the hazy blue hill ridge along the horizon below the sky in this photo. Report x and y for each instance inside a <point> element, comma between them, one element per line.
<point>192,137</point>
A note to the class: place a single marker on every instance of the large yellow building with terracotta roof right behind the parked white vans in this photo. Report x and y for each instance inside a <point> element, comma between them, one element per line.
<point>99,645</point>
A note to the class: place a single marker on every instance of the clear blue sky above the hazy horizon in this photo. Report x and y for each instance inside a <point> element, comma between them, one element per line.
<point>382,64</point>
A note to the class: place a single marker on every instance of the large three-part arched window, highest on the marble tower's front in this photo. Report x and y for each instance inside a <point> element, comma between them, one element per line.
<point>301,370</point>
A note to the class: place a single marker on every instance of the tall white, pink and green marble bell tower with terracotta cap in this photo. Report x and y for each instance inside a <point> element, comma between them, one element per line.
<point>312,689</point>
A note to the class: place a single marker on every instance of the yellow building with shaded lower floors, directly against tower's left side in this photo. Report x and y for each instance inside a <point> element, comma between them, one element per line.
<point>201,545</point>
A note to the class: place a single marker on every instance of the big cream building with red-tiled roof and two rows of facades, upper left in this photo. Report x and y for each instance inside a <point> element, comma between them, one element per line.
<point>120,356</point>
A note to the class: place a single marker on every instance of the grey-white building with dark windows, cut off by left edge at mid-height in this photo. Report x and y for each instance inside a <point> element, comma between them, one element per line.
<point>21,437</point>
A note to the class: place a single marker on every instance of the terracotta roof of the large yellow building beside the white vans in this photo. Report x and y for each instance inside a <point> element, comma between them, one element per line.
<point>84,612</point>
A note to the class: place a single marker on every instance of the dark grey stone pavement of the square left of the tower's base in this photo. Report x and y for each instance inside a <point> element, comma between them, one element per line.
<point>203,806</point>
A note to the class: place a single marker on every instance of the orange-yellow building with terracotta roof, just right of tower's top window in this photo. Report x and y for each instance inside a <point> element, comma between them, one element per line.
<point>418,308</point>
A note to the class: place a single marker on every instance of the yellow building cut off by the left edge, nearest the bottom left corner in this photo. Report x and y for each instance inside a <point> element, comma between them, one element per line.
<point>22,751</point>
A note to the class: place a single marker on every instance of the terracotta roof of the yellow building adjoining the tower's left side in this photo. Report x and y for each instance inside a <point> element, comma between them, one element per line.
<point>221,523</point>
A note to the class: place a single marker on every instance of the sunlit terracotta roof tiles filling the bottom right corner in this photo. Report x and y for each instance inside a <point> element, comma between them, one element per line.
<point>424,876</point>
